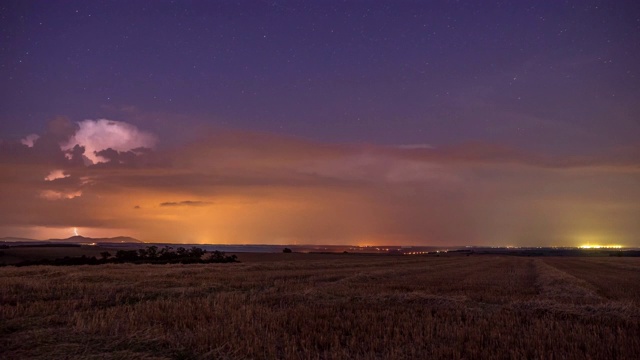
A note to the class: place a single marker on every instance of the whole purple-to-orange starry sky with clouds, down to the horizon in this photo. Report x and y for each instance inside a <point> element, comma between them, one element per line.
<point>359,122</point>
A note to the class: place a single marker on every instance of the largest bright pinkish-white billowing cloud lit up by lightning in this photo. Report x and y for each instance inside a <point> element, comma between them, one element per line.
<point>103,134</point>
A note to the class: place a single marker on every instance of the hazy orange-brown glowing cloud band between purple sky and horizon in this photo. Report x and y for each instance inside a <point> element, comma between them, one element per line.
<point>240,187</point>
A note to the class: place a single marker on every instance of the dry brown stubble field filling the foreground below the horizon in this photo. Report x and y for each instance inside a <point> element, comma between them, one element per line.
<point>326,306</point>
